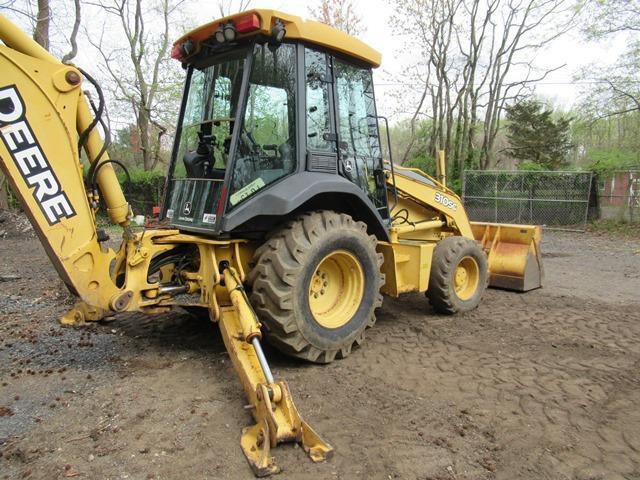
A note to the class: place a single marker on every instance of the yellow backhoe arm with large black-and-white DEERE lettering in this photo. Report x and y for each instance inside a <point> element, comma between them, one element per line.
<point>42,109</point>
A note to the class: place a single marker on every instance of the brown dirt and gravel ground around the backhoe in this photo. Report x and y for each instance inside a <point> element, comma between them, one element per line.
<point>543,385</point>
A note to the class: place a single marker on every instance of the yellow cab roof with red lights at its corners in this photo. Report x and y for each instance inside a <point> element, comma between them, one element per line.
<point>260,21</point>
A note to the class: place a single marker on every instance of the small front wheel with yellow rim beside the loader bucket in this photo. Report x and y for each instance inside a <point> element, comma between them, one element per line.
<point>458,276</point>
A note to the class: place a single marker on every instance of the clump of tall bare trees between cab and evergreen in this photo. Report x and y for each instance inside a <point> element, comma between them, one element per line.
<point>474,56</point>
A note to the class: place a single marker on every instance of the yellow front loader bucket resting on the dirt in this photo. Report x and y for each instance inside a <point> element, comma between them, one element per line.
<point>515,261</point>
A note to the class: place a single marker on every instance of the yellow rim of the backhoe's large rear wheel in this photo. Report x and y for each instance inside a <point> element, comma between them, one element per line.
<point>336,289</point>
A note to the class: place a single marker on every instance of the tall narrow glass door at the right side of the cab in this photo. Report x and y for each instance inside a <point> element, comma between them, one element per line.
<point>358,139</point>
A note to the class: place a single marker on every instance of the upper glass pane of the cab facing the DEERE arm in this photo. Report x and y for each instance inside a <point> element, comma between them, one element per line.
<point>209,117</point>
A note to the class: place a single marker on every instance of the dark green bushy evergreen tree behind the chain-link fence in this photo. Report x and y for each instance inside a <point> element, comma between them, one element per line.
<point>535,137</point>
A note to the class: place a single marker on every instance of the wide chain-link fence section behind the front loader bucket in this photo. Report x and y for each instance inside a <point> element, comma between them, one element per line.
<point>553,199</point>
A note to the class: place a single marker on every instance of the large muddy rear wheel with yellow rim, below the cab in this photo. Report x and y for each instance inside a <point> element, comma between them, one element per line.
<point>316,284</point>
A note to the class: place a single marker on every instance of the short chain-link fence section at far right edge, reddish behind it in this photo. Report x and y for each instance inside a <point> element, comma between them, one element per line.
<point>619,194</point>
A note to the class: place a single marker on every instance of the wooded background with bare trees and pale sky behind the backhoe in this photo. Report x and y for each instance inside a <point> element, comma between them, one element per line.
<point>468,89</point>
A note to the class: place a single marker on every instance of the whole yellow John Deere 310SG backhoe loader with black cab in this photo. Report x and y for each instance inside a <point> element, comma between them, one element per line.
<point>281,219</point>
